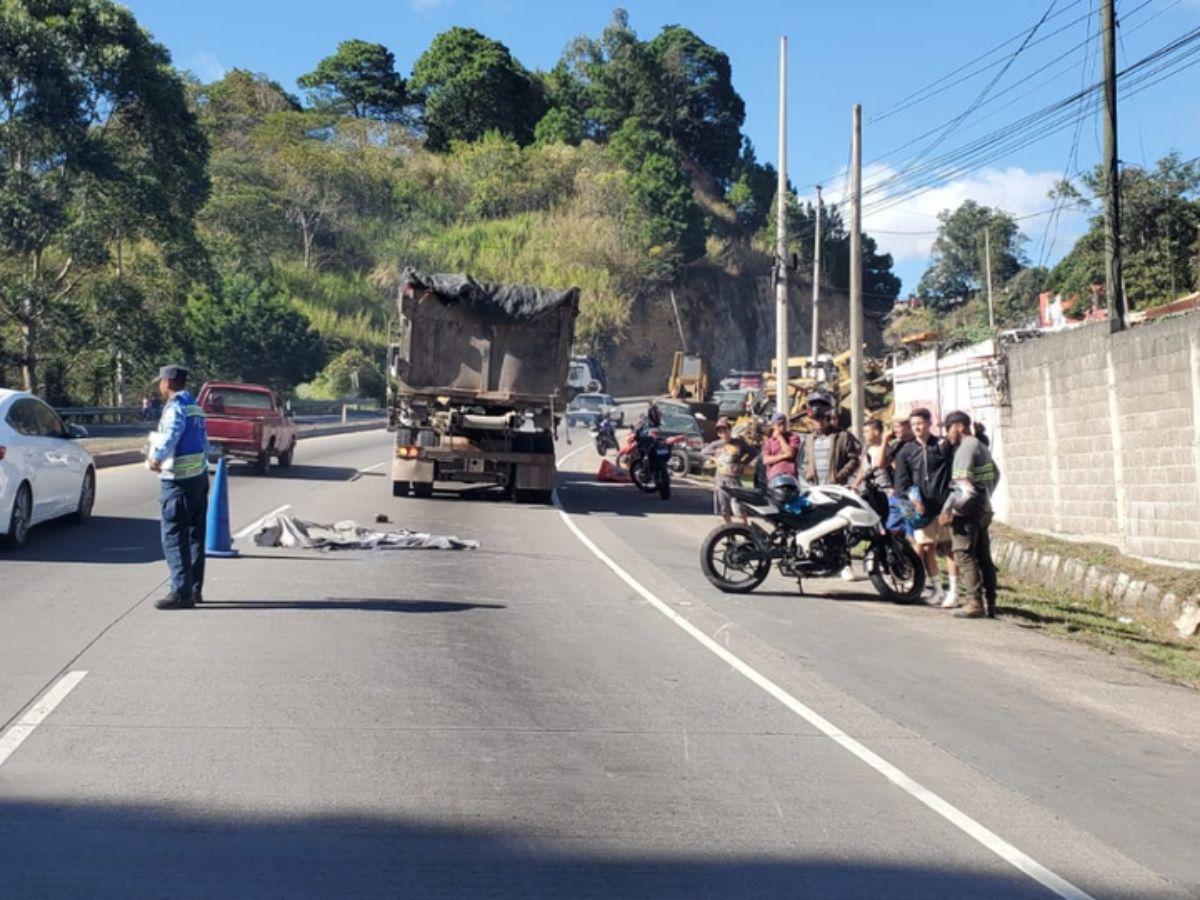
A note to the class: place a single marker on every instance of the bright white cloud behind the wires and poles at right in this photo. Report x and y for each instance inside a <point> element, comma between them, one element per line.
<point>907,231</point>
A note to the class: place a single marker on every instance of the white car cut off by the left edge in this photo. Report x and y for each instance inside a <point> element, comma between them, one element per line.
<point>45,473</point>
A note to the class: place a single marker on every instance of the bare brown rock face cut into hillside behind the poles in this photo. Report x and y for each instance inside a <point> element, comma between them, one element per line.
<point>730,320</point>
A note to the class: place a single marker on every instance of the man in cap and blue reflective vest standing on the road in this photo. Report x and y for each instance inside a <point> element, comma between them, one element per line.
<point>179,452</point>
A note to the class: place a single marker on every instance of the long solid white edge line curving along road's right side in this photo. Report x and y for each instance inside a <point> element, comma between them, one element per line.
<point>953,815</point>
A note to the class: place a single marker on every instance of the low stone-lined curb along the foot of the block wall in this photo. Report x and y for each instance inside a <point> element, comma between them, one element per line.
<point>1117,591</point>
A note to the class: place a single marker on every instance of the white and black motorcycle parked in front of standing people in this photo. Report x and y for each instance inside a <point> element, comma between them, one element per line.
<point>809,533</point>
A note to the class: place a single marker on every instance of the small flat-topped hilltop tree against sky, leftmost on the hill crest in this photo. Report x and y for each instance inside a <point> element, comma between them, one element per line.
<point>359,80</point>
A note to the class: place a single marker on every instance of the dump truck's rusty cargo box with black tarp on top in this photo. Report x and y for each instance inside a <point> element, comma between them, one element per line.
<point>511,344</point>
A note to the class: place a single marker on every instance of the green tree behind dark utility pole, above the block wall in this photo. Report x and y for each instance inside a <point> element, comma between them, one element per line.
<point>1160,229</point>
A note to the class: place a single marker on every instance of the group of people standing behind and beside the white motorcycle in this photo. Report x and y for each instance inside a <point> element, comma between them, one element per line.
<point>939,487</point>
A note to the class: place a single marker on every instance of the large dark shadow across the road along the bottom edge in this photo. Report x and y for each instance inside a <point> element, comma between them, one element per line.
<point>133,851</point>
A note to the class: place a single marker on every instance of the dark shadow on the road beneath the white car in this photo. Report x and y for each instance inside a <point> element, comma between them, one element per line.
<point>103,539</point>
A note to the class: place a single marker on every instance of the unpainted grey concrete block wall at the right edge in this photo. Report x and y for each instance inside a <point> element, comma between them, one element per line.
<point>1102,437</point>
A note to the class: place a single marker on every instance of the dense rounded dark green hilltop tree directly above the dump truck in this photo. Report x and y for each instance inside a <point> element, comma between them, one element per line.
<point>469,86</point>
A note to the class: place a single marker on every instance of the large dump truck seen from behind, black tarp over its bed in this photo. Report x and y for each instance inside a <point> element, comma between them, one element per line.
<point>478,385</point>
